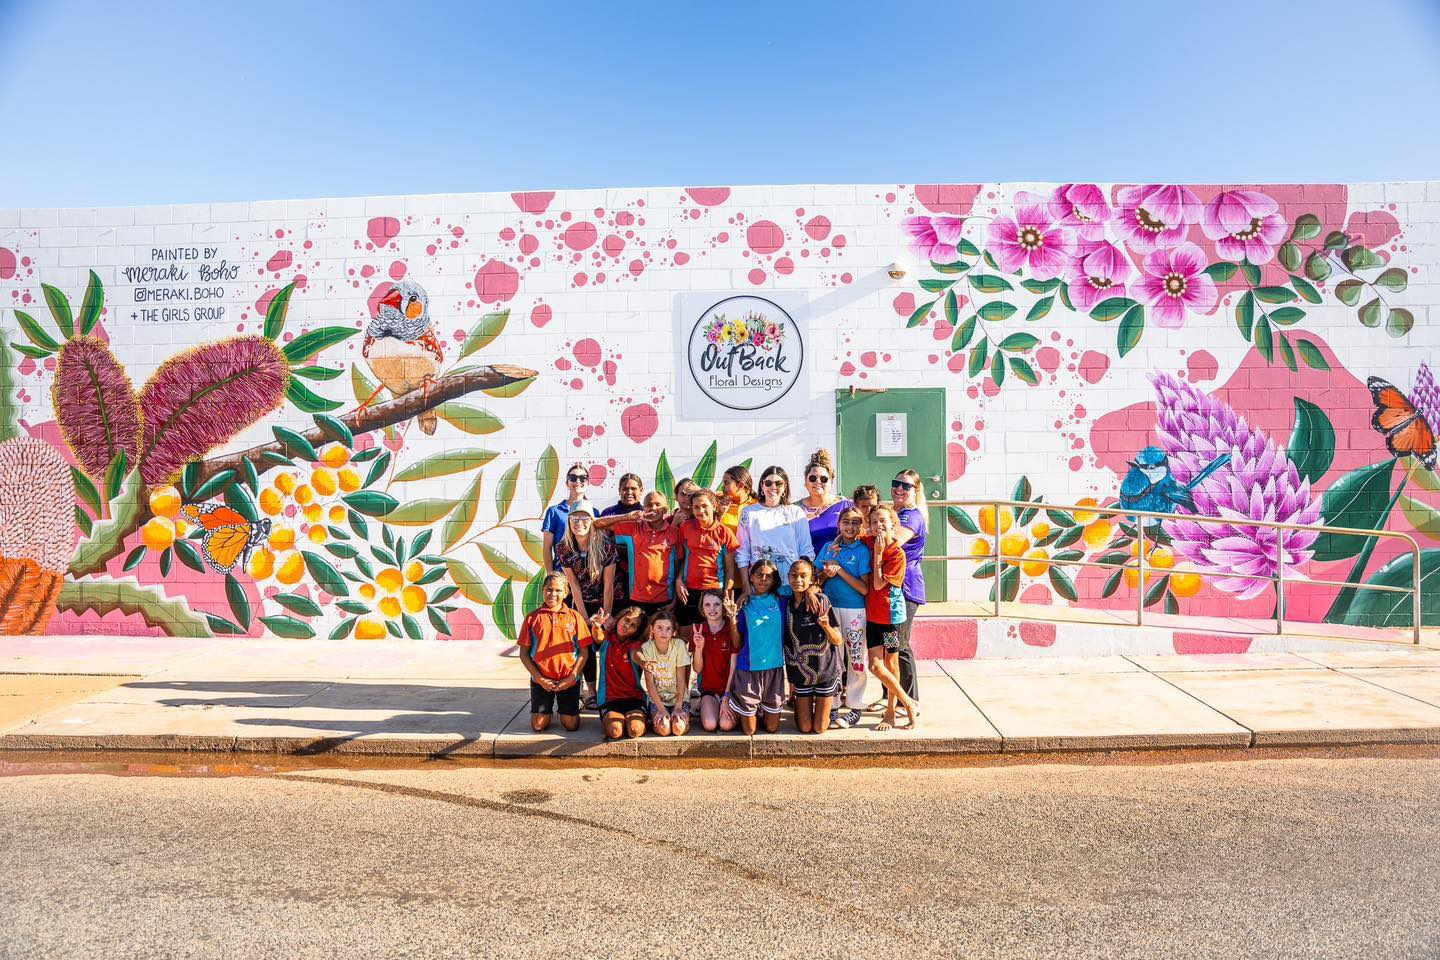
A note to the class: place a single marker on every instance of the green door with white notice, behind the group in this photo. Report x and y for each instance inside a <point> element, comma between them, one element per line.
<point>883,433</point>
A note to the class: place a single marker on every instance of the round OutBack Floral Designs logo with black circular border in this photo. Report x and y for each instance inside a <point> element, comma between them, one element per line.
<point>745,353</point>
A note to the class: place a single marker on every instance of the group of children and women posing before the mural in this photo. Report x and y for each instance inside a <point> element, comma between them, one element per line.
<point>729,598</point>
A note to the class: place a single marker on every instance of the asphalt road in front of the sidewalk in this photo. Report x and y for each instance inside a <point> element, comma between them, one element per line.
<point>1256,859</point>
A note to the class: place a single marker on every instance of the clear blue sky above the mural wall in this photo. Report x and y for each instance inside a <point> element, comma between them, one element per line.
<point>149,103</point>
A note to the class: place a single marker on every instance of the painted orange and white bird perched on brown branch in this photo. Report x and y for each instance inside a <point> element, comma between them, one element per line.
<point>402,349</point>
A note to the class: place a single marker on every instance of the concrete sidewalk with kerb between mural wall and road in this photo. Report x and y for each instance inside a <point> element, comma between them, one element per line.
<point>459,700</point>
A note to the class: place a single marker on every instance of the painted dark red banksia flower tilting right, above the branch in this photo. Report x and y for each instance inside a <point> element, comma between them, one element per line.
<point>202,398</point>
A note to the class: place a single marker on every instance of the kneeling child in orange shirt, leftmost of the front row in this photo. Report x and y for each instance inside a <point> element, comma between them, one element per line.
<point>554,643</point>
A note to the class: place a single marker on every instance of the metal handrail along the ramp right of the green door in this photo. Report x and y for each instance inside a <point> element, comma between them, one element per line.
<point>1140,565</point>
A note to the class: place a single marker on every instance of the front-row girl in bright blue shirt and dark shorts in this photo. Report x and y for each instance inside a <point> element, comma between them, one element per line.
<point>758,686</point>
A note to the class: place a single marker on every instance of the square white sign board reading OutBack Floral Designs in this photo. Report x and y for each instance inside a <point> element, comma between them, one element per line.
<point>742,358</point>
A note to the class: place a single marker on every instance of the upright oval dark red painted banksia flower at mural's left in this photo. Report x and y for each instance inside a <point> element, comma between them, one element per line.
<point>96,405</point>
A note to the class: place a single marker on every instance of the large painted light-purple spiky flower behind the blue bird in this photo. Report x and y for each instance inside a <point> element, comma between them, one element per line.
<point>1261,483</point>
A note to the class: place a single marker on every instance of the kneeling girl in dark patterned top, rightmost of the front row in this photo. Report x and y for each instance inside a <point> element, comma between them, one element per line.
<point>814,654</point>
